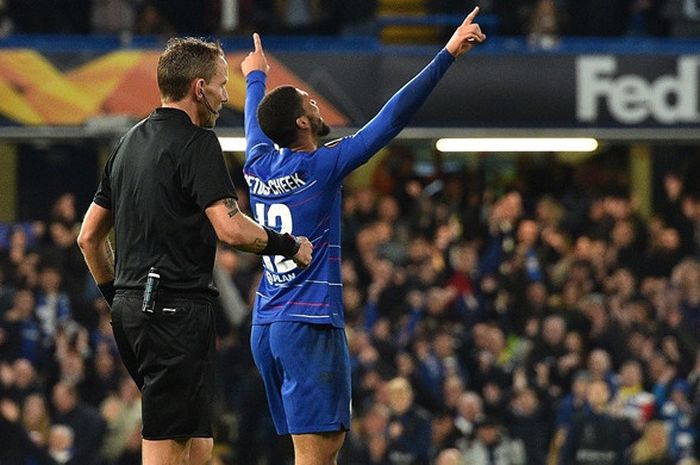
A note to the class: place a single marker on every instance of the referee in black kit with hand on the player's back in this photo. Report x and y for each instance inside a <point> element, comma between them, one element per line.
<point>168,195</point>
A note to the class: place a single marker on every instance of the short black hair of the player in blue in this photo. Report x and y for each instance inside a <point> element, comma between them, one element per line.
<point>277,114</point>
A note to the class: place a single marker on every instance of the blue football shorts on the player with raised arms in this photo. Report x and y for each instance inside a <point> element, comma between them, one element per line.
<point>306,372</point>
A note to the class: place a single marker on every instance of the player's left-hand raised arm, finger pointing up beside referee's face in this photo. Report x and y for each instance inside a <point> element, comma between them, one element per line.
<point>254,68</point>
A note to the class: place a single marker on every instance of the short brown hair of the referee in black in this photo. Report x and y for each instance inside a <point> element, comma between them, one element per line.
<point>184,60</point>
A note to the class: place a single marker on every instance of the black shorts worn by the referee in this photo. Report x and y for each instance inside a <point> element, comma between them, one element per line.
<point>170,355</point>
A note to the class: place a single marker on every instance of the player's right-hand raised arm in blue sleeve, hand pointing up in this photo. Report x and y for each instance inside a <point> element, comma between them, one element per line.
<point>397,112</point>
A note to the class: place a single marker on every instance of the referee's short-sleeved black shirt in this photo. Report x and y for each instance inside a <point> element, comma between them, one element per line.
<point>161,176</point>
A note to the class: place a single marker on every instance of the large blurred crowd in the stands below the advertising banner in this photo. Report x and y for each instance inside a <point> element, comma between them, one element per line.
<point>492,320</point>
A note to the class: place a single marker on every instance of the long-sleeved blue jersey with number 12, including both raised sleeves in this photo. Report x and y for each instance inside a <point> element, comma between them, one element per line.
<point>300,193</point>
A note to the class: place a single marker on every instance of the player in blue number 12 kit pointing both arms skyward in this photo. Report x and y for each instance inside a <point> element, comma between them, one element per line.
<point>297,338</point>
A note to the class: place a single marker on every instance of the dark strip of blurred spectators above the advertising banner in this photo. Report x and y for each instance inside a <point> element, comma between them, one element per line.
<point>543,21</point>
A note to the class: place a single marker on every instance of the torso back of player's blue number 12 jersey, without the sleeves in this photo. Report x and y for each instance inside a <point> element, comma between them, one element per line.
<point>294,192</point>
